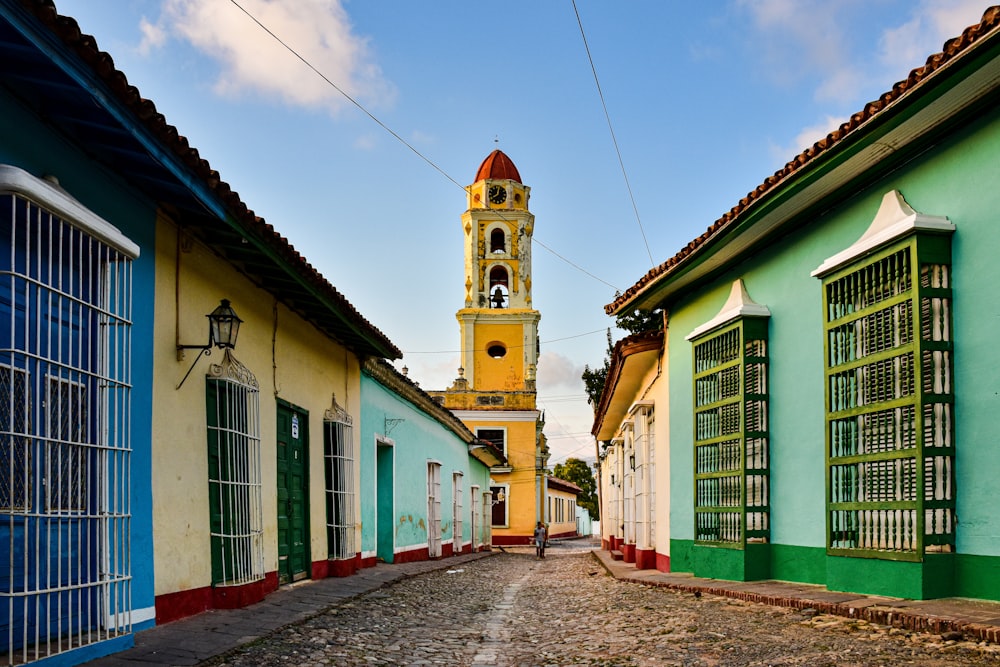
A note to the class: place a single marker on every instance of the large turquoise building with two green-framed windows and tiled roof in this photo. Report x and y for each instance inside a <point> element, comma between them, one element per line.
<point>831,353</point>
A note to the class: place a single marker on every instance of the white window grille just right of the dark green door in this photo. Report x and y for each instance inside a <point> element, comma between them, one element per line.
<point>338,452</point>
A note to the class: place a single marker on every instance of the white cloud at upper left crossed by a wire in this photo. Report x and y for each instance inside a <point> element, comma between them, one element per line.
<point>254,62</point>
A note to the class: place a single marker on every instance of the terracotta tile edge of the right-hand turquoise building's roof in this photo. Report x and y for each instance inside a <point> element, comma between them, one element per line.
<point>952,48</point>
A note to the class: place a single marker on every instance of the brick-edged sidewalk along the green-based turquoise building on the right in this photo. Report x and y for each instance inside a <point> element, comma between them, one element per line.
<point>973,618</point>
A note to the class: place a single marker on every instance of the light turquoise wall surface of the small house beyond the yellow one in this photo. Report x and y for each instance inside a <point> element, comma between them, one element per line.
<point>417,440</point>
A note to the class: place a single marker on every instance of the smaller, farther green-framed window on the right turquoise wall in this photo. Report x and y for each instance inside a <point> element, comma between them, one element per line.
<point>731,443</point>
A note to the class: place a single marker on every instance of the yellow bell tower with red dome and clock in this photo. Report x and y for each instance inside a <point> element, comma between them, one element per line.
<point>494,394</point>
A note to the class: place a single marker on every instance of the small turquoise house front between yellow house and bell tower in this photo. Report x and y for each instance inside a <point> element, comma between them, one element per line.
<point>425,478</point>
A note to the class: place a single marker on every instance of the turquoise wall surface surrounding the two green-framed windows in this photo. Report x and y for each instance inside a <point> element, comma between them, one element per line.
<point>957,178</point>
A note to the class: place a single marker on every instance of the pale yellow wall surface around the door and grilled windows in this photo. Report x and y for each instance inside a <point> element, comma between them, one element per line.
<point>290,360</point>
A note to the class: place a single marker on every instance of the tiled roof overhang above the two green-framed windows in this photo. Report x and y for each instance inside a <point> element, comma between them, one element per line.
<point>953,87</point>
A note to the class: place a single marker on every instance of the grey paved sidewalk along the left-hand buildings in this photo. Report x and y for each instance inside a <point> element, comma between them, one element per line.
<point>192,640</point>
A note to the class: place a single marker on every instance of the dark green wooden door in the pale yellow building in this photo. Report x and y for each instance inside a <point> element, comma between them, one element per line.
<point>293,504</point>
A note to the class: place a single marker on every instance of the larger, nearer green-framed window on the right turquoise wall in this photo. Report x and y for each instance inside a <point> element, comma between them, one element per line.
<point>890,432</point>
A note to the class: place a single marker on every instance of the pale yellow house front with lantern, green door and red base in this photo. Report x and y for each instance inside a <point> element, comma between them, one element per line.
<point>243,438</point>
